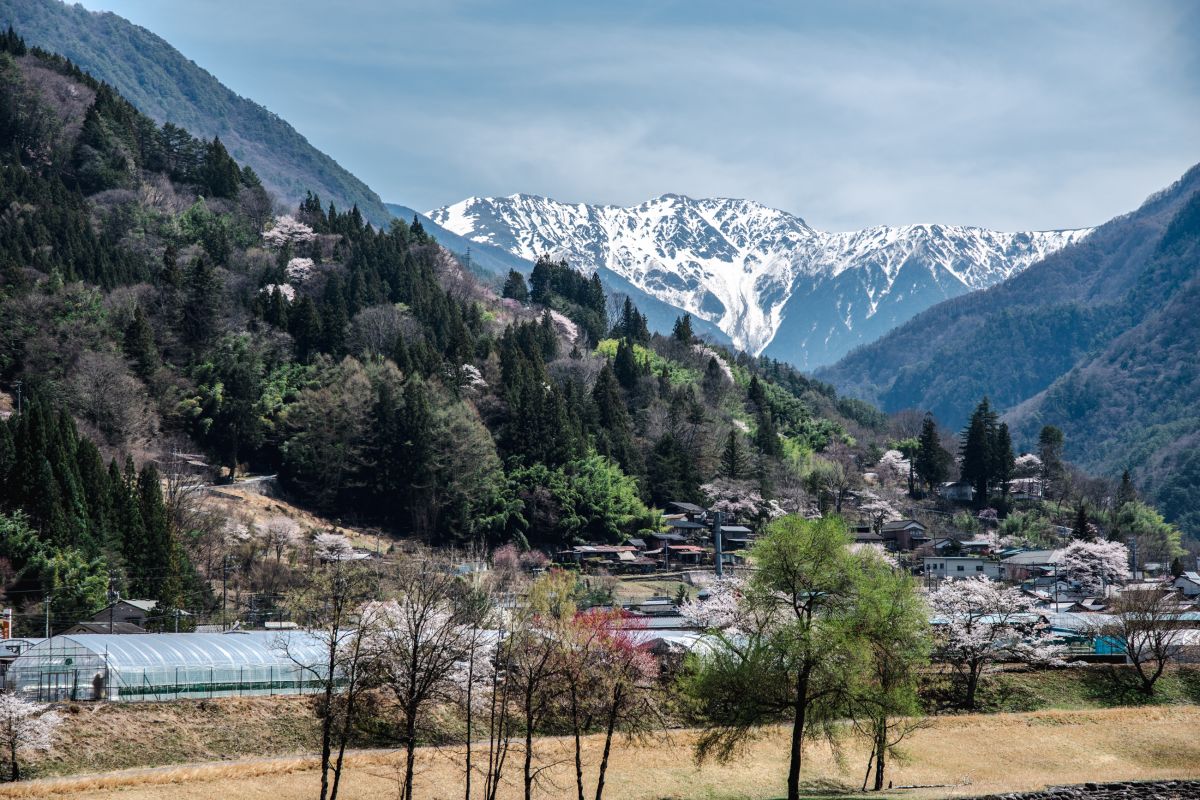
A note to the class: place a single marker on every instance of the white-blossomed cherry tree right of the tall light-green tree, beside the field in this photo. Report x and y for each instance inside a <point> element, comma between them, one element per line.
<point>985,623</point>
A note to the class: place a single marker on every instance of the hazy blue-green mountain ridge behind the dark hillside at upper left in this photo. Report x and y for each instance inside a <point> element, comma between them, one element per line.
<point>169,87</point>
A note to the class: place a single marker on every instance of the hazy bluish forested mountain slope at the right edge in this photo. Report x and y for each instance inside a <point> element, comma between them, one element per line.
<point>1100,340</point>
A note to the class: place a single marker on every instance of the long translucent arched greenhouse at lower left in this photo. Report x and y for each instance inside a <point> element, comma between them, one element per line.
<point>170,666</point>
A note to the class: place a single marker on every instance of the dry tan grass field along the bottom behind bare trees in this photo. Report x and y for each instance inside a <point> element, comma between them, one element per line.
<point>962,756</point>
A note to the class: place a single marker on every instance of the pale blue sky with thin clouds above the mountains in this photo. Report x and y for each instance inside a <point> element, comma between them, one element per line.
<point>1006,115</point>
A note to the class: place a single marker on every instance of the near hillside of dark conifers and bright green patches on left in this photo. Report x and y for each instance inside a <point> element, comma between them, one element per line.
<point>153,302</point>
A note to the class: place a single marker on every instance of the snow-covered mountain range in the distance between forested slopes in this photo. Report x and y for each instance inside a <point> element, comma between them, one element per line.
<point>763,276</point>
